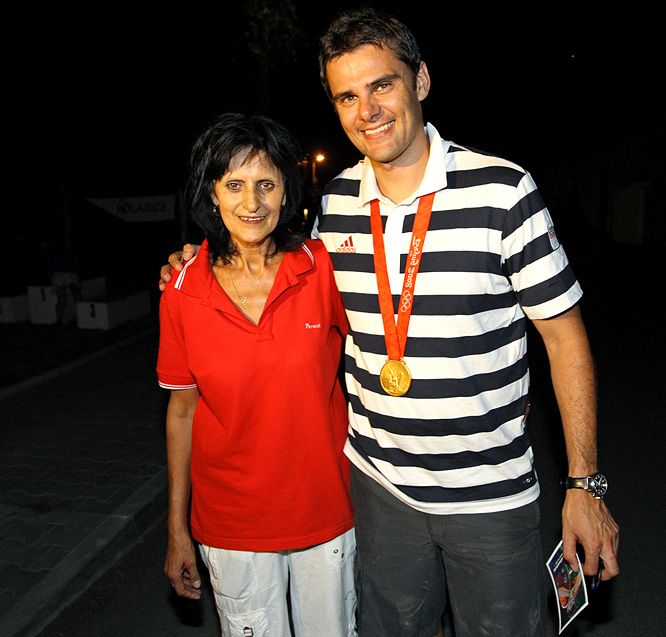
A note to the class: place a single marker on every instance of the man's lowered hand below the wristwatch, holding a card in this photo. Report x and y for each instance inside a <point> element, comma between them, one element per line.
<point>587,521</point>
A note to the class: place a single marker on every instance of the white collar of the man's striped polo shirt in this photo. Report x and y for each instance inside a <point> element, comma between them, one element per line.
<point>434,178</point>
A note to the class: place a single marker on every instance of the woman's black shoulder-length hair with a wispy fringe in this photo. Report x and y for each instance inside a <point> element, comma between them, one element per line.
<point>225,137</point>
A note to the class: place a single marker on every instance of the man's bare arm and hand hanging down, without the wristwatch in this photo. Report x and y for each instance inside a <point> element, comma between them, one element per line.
<point>585,520</point>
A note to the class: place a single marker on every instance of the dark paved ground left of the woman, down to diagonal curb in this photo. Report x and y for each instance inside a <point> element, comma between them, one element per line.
<point>82,463</point>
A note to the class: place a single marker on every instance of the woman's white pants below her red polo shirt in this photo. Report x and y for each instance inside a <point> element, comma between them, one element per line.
<point>254,591</point>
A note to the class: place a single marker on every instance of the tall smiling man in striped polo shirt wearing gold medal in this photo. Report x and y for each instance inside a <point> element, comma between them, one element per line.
<point>459,246</point>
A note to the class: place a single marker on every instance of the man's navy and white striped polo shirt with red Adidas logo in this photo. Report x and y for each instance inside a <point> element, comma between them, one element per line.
<point>457,441</point>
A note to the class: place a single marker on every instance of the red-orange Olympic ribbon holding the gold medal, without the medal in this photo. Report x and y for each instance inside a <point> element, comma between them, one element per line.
<point>396,336</point>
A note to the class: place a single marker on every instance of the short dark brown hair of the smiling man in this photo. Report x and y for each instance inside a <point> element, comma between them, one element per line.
<point>356,27</point>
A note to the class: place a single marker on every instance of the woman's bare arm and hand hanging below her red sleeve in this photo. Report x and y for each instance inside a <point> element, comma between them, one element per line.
<point>180,565</point>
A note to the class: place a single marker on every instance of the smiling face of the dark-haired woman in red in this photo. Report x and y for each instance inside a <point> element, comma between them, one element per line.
<point>250,195</point>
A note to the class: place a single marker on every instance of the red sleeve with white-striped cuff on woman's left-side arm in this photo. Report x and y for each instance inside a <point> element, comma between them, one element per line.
<point>172,369</point>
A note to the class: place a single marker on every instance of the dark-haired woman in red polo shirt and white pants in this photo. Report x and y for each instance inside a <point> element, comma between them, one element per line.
<point>250,339</point>
